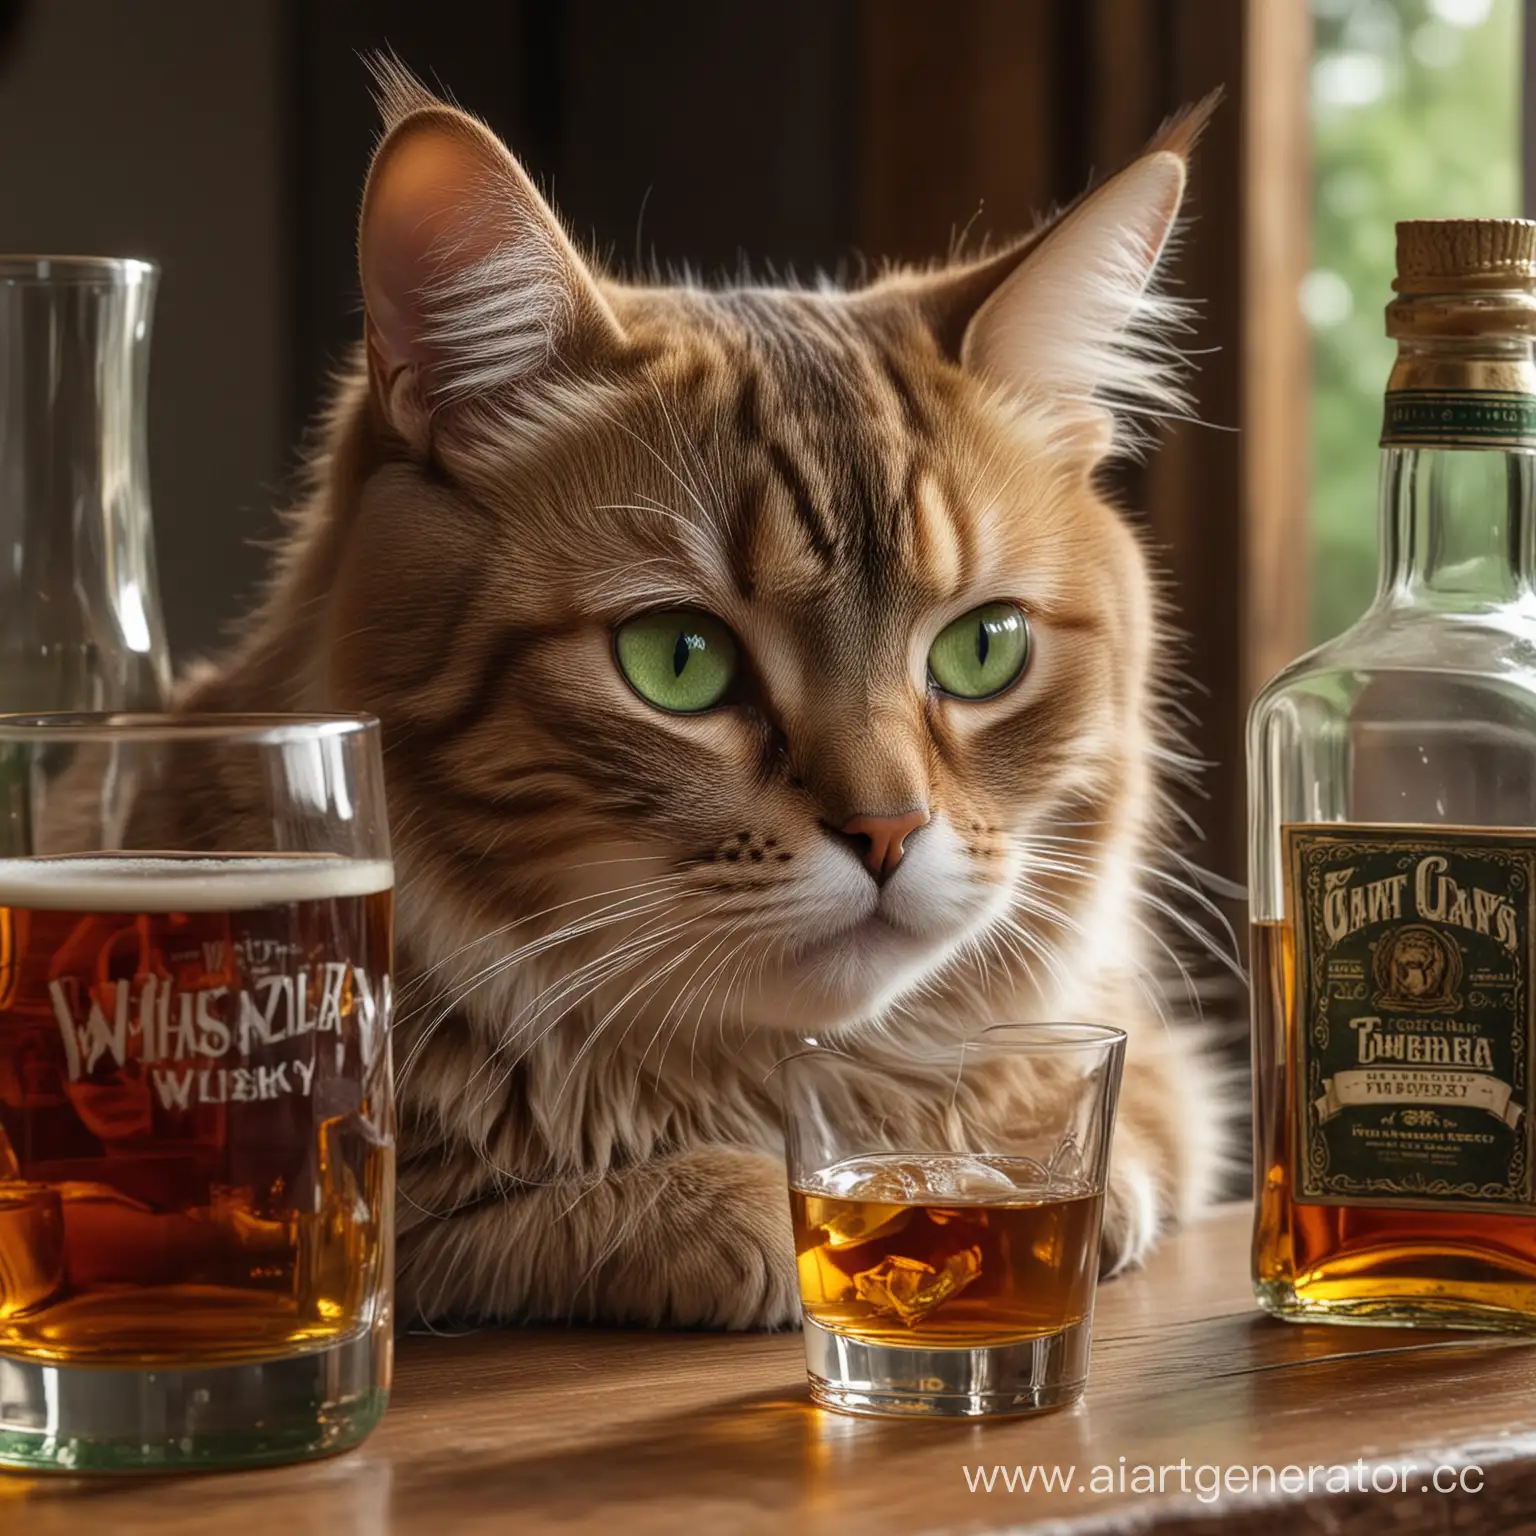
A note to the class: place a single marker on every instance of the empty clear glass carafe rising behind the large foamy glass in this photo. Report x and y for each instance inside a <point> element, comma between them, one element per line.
<point>81,623</point>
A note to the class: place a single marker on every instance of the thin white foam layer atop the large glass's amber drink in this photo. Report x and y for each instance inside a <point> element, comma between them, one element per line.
<point>170,884</point>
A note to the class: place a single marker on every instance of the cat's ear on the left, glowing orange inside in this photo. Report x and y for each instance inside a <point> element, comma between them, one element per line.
<point>471,285</point>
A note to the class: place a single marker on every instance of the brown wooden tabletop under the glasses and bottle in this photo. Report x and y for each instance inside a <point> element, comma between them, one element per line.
<point>634,1434</point>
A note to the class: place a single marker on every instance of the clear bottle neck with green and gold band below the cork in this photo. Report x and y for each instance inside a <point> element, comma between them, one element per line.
<point>1458,482</point>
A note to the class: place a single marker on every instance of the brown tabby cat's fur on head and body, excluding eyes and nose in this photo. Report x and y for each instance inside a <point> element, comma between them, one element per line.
<point>615,921</point>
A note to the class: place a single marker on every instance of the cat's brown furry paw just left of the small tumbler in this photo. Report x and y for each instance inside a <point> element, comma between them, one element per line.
<point>720,1253</point>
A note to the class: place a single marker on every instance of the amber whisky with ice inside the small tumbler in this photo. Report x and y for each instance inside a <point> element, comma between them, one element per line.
<point>945,1253</point>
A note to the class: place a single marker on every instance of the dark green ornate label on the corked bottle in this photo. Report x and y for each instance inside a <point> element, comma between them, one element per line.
<point>1414,1024</point>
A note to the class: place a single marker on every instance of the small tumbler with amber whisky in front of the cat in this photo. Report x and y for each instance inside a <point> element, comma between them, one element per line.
<point>947,1219</point>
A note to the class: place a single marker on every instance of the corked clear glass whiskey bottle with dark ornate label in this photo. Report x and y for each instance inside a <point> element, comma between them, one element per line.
<point>1392,819</point>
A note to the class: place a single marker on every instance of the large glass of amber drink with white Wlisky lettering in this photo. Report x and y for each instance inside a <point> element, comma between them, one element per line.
<point>196,1096</point>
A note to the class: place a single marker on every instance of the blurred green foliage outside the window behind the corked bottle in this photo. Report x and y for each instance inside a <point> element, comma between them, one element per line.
<point>1415,114</point>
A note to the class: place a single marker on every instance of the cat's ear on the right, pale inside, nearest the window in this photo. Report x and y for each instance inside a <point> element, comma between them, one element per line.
<point>1074,314</point>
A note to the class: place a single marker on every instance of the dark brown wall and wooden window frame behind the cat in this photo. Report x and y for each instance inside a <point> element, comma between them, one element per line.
<point>230,142</point>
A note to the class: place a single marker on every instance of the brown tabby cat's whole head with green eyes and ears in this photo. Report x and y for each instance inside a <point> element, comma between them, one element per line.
<point>749,654</point>
